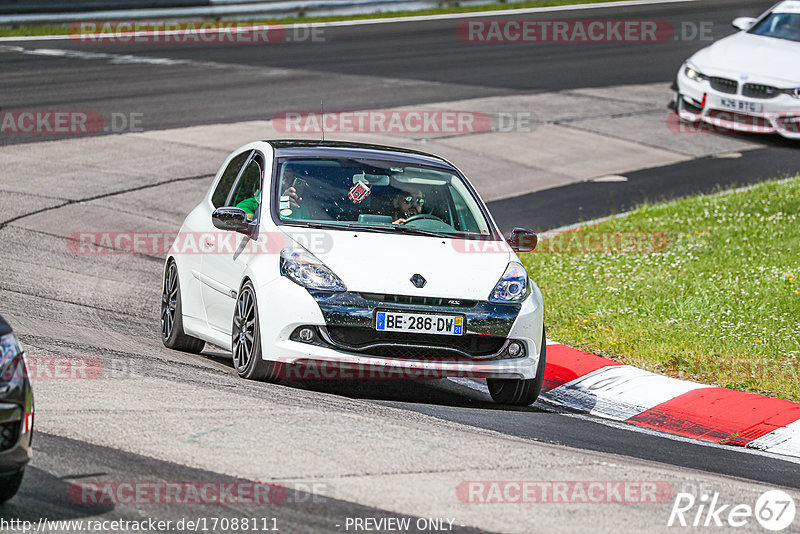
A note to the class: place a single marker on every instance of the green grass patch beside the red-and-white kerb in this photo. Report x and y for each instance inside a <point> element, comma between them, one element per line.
<point>711,292</point>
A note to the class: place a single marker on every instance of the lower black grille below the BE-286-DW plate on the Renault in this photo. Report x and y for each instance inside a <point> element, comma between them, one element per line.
<point>421,346</point>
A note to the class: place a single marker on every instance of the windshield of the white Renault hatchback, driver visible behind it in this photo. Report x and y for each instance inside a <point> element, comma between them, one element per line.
<point>378,194</point>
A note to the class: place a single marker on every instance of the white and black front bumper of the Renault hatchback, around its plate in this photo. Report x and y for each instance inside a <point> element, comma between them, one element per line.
<point>347,340</point>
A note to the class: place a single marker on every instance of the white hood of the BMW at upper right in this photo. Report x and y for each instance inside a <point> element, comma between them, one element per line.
<point>762,59</point>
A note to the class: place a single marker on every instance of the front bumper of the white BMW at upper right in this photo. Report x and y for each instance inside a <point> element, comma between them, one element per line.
<point>700,102</point>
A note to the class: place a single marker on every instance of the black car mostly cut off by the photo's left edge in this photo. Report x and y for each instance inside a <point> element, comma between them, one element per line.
<point>16,413</point>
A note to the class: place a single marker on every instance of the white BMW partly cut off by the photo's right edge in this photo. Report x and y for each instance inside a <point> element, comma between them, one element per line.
<point>749,81</point>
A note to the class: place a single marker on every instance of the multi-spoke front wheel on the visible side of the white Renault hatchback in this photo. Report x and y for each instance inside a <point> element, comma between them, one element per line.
<point>246,339</point>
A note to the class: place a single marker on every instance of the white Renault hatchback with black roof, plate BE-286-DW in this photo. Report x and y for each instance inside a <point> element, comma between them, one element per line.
<point>356,261</point>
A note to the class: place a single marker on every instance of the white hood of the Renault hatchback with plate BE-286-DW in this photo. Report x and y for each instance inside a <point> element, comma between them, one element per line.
<point>370,262</point>
